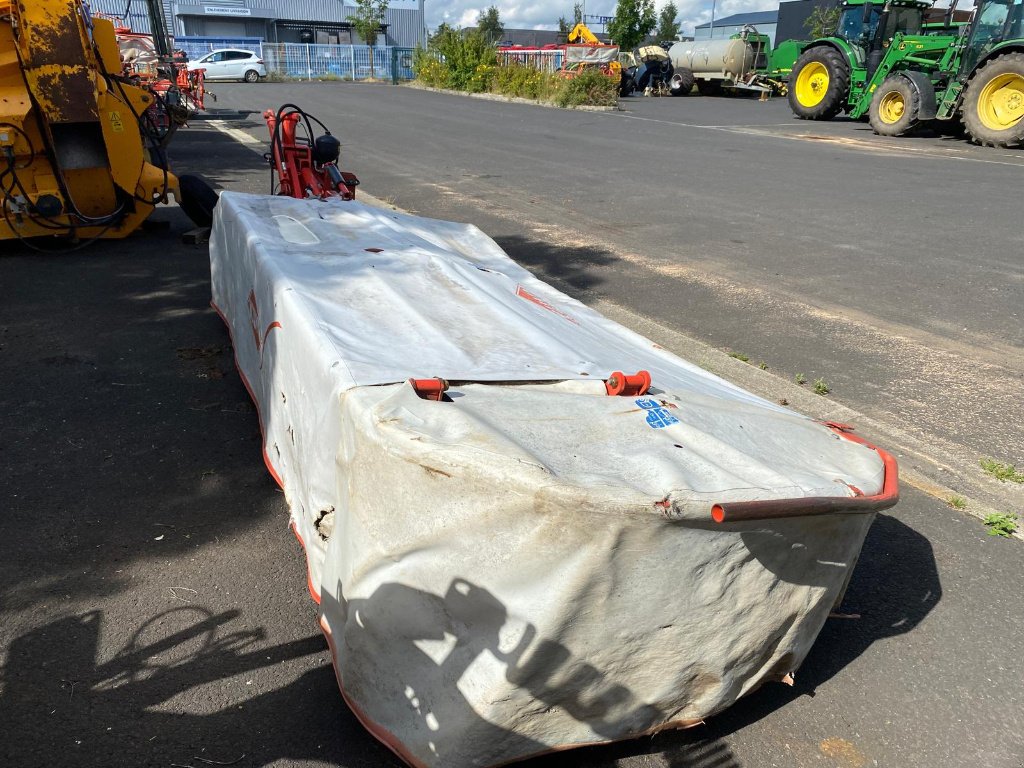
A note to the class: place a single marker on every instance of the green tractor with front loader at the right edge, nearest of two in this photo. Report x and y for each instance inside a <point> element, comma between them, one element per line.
<point>977,77</point>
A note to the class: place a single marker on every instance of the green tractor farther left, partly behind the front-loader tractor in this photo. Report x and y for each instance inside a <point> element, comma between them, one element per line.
<point>831,71</point>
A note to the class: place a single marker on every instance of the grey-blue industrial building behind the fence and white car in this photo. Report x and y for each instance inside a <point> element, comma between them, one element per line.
<point>275,21</point>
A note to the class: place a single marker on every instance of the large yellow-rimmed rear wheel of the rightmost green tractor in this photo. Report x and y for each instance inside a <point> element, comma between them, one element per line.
<point>994,103</point>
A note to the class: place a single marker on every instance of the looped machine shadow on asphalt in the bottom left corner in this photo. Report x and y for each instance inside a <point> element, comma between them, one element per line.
<point>59,690</point>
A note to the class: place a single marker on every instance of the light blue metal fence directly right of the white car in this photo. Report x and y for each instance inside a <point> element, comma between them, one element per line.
<point>312,62</point>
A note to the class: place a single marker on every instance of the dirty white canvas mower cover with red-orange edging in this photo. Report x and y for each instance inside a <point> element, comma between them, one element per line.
<point>530,565</point>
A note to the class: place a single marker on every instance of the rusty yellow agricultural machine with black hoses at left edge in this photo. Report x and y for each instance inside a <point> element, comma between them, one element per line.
<point>79,159</point>
